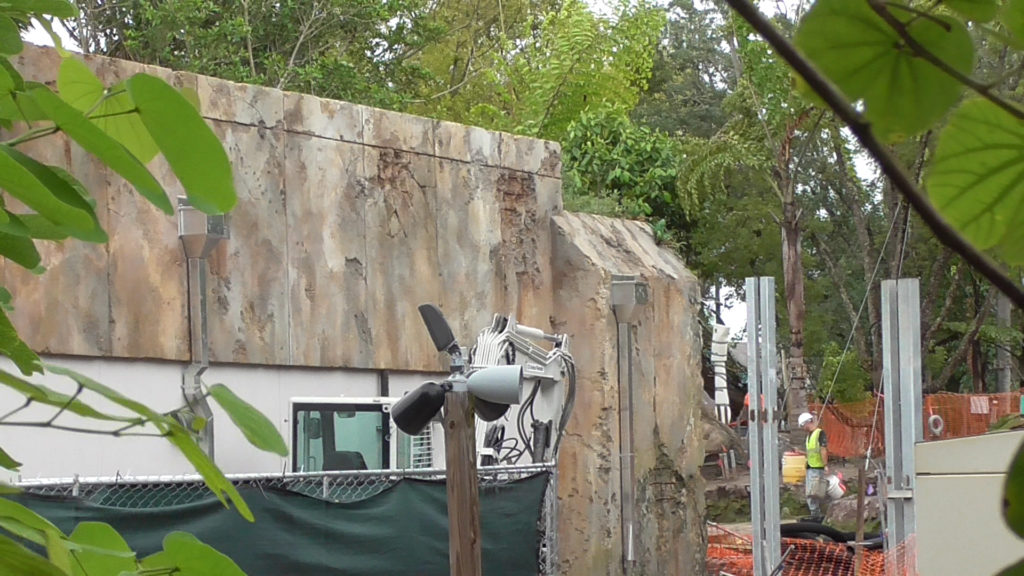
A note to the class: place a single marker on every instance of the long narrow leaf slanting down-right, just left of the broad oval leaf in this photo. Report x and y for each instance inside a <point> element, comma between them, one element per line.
<point>94,140</point>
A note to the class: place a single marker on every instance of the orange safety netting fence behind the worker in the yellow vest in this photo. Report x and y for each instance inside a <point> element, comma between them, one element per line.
<point>852,428</point>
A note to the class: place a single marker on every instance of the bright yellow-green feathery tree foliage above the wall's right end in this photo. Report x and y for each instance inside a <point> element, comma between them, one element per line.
<point>539,85</point>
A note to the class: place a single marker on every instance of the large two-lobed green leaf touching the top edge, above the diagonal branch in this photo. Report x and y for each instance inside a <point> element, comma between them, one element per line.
<point>903,94</point>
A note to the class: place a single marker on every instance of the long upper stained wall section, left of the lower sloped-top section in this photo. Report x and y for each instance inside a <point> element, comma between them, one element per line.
<point>349,219</point>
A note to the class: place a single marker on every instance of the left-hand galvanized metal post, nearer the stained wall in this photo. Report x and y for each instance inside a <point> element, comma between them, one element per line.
<point>763,384</point>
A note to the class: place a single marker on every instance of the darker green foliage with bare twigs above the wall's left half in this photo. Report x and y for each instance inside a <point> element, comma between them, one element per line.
<point>358,51</point>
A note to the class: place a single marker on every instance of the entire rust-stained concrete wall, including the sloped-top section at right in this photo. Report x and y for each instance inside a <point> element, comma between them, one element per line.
<point>349,219</point>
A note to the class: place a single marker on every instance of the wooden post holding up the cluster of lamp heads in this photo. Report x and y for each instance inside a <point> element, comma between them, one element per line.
<point>464,502</point>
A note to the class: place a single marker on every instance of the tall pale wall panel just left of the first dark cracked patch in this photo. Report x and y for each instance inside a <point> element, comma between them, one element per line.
<point>326,199</point>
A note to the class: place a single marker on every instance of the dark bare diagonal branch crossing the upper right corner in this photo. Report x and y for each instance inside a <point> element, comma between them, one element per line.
<point>889,164</point>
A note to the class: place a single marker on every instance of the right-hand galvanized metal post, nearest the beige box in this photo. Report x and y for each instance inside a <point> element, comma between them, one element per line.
<point>905,426</point>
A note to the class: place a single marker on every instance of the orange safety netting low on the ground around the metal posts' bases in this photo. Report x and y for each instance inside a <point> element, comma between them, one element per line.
<point>733,555</point>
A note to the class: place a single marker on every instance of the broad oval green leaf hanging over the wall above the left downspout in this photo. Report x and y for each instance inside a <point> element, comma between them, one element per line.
<point>190,147</point>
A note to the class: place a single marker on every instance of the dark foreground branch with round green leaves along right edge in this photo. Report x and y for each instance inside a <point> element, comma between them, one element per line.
<point>908,67</point>
